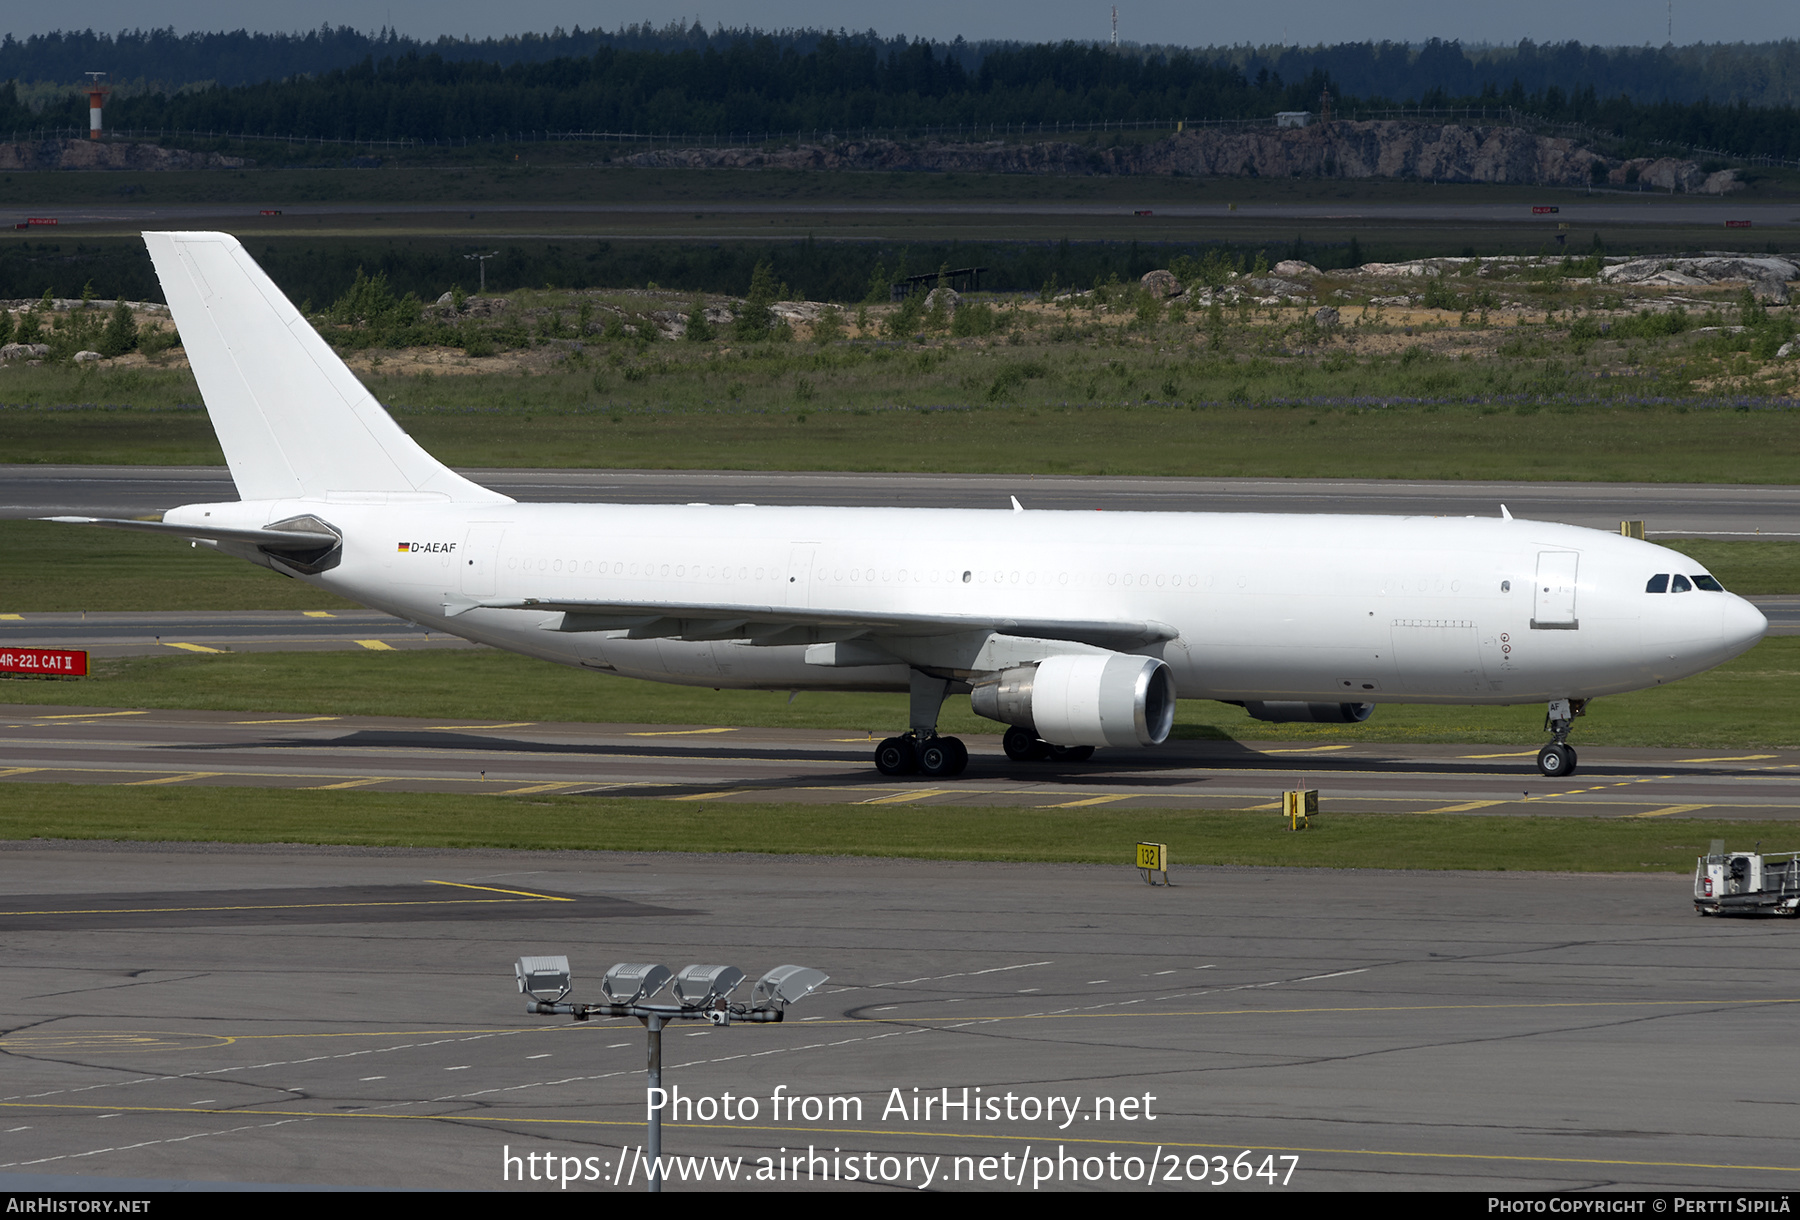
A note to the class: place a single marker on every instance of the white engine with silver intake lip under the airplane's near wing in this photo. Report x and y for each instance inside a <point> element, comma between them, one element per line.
<point>1093,699</point>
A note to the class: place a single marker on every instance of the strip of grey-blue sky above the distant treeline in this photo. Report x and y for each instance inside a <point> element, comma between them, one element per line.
<point>1610,22</point>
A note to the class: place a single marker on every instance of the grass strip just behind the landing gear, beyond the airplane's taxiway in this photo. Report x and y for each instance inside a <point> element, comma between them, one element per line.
<point>1743,704</point>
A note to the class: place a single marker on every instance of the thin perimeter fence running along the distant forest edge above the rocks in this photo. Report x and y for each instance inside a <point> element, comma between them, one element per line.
<point>1502,116</point>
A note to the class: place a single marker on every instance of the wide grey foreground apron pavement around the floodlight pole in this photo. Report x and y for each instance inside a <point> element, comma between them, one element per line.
<point>291,1016</point>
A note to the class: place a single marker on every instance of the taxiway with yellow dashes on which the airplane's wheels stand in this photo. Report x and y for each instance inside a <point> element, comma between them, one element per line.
<point>757,766</point>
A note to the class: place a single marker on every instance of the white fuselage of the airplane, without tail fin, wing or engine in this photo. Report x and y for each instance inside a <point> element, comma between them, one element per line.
<point>1335,609</point>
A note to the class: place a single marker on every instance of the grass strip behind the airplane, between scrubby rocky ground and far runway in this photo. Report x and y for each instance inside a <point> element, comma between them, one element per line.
<point>1435,442</point>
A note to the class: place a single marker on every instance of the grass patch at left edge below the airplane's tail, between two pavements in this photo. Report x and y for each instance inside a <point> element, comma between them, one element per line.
<point>51,568</point>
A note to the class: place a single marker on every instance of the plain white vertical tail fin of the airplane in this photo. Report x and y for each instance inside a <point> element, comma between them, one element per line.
<point>292,418</point>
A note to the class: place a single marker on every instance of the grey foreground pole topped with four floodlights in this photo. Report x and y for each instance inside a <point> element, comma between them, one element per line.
<point>701,994</point>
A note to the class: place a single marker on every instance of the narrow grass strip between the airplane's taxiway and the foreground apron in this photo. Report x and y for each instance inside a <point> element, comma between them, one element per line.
<point>1374,841</point>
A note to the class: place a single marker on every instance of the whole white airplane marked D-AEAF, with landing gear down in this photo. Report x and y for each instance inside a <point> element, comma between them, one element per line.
<point>1075,629</point>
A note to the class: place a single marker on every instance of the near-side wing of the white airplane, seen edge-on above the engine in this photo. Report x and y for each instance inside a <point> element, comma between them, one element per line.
<point>795,625</point>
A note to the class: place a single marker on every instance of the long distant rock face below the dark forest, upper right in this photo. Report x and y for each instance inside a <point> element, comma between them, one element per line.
<point>1324,150</point>
